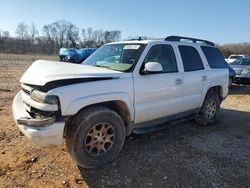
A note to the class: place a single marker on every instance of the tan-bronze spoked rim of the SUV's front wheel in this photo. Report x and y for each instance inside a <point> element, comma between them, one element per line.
<point>99,139</point>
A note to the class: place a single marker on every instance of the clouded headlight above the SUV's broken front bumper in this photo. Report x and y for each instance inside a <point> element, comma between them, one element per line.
<point>43,97</point>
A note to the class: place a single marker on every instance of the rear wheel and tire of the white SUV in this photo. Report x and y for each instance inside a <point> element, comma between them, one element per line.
<point>209,109</point>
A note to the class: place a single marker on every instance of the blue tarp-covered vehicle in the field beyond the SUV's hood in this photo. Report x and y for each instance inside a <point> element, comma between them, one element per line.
<point>73,55</point>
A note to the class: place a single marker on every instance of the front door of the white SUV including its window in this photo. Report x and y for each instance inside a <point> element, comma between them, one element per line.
<point>160,94</point>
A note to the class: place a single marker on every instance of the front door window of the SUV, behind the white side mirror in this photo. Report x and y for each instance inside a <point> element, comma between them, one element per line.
<point>163,54</point>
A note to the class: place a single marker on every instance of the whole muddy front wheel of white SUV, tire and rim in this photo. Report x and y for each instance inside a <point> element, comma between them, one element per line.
<point>86,141</point>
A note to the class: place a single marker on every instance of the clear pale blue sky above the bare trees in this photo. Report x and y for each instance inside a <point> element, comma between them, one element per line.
<point>221,21</point>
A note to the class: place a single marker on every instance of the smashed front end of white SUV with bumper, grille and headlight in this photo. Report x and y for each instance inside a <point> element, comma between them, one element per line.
<point>38,116</point>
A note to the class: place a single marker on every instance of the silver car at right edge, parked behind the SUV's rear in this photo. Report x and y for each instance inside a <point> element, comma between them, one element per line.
<point>242,69</point>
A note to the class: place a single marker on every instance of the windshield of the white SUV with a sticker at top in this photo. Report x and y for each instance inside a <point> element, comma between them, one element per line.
<point>120,57</point>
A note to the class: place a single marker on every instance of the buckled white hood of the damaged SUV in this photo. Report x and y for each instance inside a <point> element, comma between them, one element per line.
<point>41,72</point>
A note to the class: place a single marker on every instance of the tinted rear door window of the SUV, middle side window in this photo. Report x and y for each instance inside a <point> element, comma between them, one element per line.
<point>190,58</point>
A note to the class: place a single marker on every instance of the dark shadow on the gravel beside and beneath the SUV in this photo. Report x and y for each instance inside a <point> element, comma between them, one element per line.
<point>181,156</point>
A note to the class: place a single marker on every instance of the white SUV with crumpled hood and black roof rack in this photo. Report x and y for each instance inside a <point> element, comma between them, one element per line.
<point>124,87</point>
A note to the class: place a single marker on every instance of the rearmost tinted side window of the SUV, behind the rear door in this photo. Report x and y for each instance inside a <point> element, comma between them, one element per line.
<point>214,57</point>
